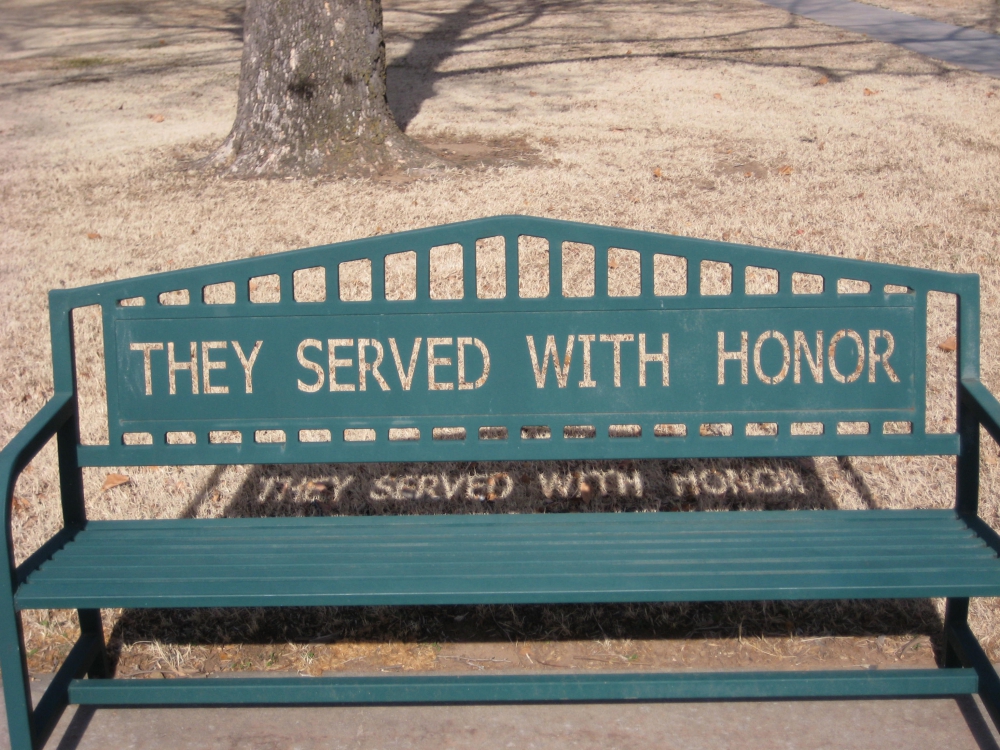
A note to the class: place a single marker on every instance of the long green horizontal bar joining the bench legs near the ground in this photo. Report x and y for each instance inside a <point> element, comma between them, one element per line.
<point>486,688</point>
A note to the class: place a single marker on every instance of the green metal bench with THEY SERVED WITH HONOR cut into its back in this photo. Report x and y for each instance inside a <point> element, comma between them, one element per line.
<point>513,373</point>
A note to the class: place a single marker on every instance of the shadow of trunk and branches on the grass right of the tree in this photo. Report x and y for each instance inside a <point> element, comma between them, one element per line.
<point>436,54</point>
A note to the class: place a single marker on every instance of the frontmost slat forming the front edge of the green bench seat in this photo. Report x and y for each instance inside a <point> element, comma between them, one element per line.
<point>984,581</point>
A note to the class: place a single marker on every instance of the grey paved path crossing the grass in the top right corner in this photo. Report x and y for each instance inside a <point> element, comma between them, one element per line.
<point>975,50</point>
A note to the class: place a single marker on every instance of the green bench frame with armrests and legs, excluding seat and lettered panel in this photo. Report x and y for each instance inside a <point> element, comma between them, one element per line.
<point>966,666</point>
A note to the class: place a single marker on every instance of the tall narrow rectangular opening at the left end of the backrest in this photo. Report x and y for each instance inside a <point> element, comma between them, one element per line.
<point>91,382</point>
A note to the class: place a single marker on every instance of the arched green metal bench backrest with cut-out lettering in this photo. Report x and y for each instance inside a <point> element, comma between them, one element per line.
<point>655,375</point>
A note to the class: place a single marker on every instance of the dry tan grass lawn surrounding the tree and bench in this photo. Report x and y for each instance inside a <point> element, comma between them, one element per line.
<point>678,118</point>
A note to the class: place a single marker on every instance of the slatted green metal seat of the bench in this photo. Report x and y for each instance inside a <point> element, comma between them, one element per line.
<point>515,559</point>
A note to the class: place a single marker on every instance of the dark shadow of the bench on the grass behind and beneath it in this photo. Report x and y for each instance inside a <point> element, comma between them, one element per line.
<point>667,486</point>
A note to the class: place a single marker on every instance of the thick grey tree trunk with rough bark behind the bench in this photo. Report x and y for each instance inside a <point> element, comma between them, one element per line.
<point>312,97</point>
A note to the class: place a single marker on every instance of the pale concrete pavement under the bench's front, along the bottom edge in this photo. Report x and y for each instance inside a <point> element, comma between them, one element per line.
<point>929,724</point>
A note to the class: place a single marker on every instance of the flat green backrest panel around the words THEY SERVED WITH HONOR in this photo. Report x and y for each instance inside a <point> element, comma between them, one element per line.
<point>512,383</point>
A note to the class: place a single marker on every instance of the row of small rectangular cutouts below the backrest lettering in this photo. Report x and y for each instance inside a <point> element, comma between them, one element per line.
<point>527,432</point>
